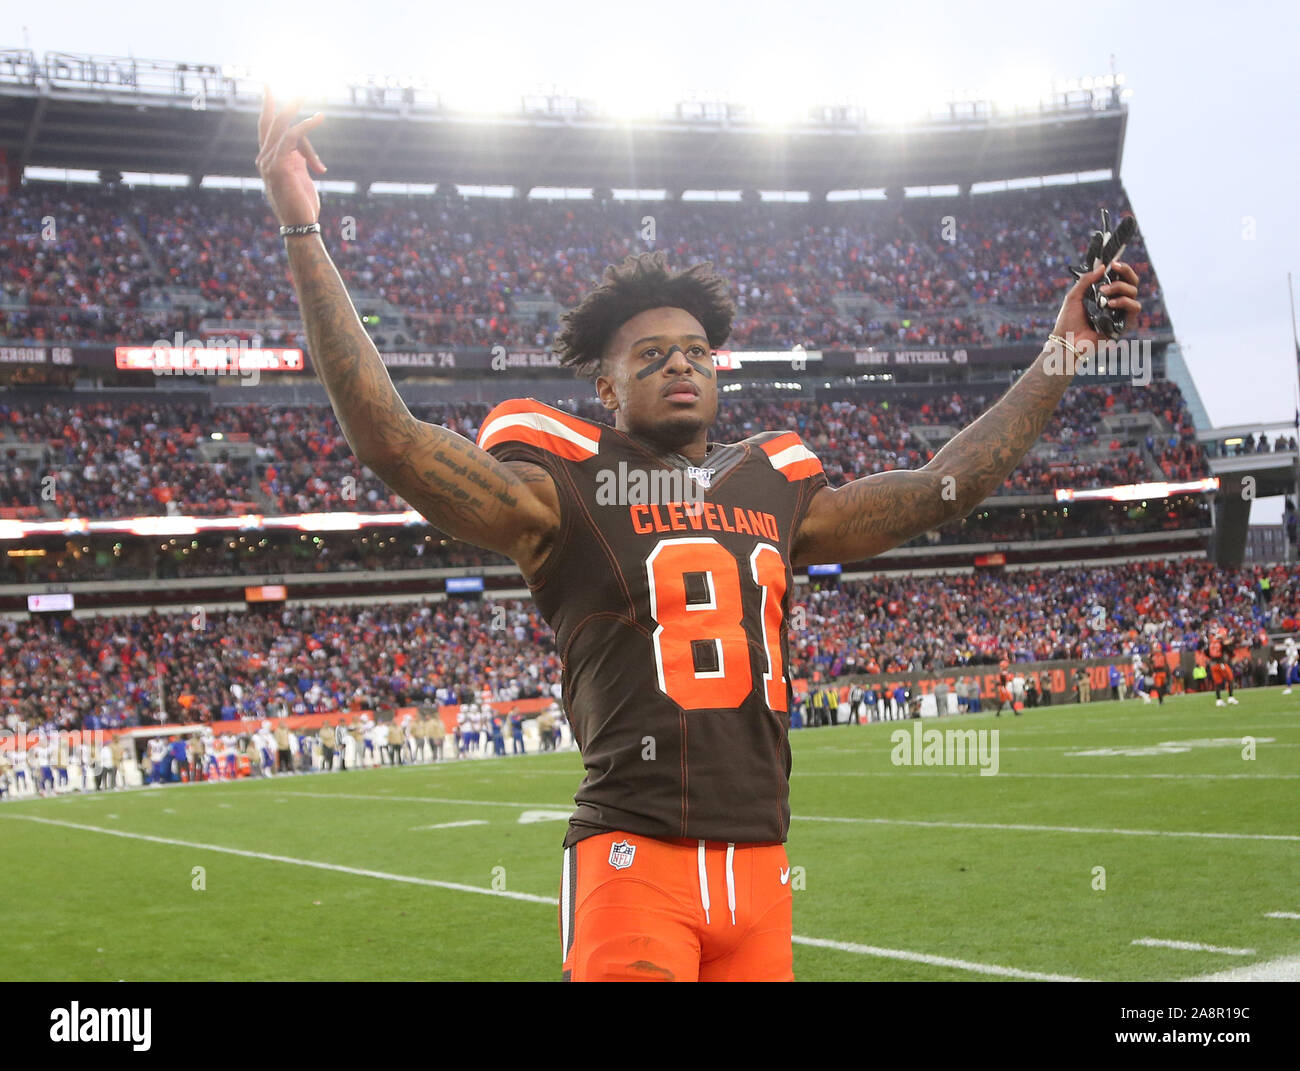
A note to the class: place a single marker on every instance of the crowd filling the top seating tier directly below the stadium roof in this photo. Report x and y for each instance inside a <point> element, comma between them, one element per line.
<point>84,265</point>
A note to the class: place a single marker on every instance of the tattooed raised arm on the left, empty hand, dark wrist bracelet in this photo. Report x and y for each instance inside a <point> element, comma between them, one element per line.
<point>512,509</point>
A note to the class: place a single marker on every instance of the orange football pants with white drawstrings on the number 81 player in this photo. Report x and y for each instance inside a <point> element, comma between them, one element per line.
<point>648,909</point>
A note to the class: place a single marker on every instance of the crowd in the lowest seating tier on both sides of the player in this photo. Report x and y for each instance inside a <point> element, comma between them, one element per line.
<point>114,671</point>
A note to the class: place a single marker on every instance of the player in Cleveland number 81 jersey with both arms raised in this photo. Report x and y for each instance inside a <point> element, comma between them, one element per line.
<point>671,612</point>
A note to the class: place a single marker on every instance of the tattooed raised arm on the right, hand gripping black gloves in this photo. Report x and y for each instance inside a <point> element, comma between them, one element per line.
<point>872,515</point>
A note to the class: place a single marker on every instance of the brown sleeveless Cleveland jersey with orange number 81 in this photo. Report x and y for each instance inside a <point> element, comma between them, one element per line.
<point>669,591</point>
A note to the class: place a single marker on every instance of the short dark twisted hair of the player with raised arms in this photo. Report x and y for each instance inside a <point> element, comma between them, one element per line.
<point>642,283</point>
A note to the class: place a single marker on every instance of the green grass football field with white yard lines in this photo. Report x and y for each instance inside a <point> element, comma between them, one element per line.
<point>1116,842</point>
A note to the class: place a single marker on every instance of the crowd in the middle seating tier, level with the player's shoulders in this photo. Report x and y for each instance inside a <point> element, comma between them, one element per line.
<point>153,458</point>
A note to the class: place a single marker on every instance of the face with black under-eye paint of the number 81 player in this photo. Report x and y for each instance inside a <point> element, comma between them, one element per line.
<point>660,379</point>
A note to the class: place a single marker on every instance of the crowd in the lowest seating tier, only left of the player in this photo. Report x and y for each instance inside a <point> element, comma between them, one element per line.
<point>216,667</point>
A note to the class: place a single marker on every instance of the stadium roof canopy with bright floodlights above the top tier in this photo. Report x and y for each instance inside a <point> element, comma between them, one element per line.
<point>111,114</point>
